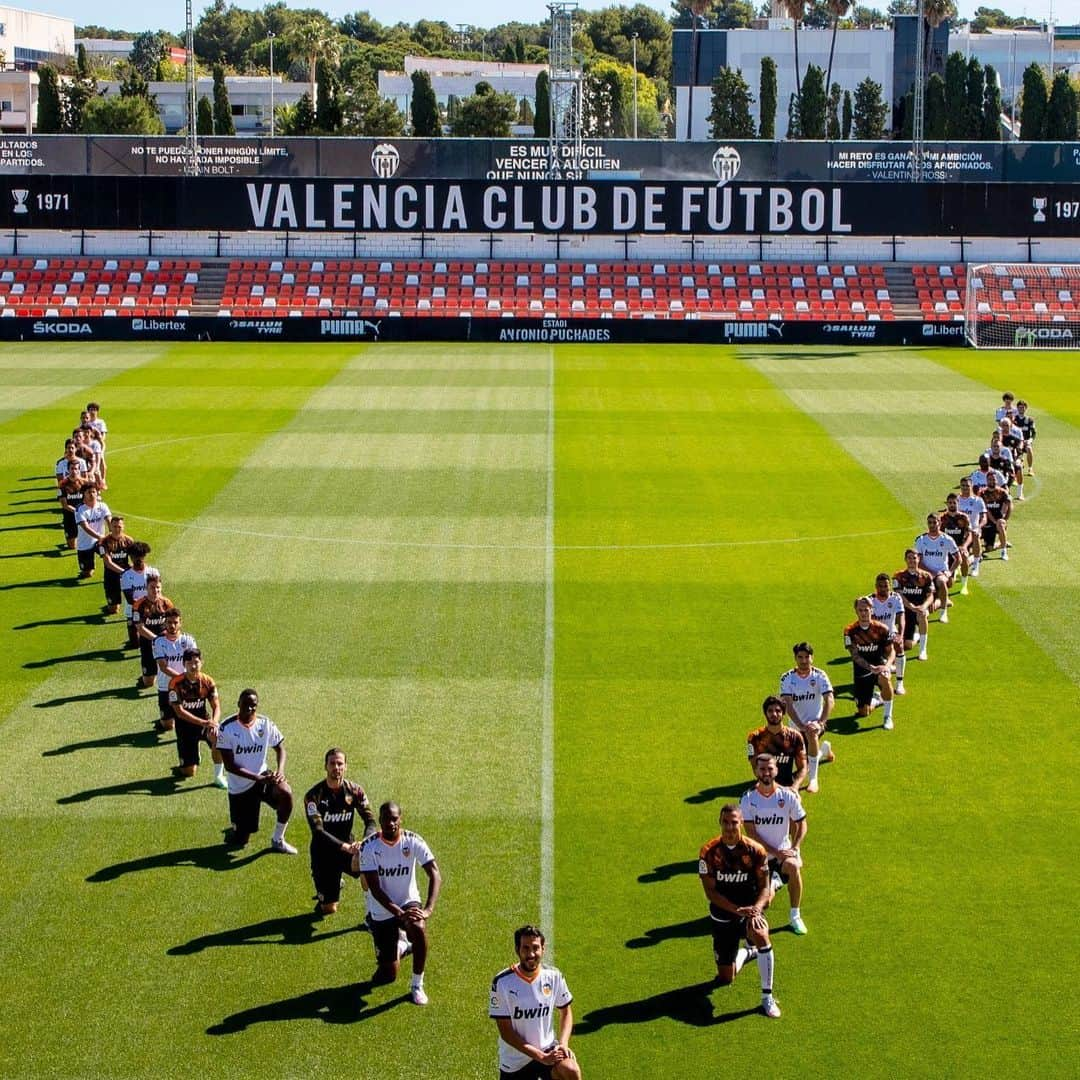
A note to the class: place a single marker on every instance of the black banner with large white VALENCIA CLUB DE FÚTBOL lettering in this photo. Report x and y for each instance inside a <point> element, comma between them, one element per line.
<point>476,207</point>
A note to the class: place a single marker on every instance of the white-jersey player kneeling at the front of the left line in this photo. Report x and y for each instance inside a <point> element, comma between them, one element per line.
<point>388,862</point>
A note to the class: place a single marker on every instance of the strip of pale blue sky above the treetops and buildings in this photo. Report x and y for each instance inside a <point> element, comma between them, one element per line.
<point>169,15</point>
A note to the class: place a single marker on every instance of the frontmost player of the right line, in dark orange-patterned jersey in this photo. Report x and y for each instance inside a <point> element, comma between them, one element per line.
<point>735,873</point>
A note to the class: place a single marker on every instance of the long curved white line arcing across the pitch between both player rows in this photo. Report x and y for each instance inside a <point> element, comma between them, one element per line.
<point>548,547</point>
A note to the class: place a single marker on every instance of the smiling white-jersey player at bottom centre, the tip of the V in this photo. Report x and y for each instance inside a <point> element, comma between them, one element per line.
<point>524,1003</point>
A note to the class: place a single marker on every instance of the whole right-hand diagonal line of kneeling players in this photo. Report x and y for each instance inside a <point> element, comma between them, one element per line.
<point>760,846</point>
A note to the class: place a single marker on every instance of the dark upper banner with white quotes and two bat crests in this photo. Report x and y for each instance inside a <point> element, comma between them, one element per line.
<point>531,159</point>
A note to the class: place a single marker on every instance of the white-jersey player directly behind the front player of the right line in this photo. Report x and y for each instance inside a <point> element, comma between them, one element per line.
<point>774,816</point>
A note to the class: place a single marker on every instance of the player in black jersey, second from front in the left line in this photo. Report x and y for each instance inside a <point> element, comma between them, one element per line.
<point>331,808</point>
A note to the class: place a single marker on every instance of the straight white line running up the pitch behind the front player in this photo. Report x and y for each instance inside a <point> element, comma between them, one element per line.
<point>548,688</point>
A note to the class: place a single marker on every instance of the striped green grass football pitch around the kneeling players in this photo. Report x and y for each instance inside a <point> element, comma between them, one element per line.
<point>538,595</point>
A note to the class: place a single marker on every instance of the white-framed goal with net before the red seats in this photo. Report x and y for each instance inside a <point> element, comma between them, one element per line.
<point>1022,306</point>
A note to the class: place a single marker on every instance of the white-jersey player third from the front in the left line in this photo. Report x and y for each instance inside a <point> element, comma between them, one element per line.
<point>245,742</point>
